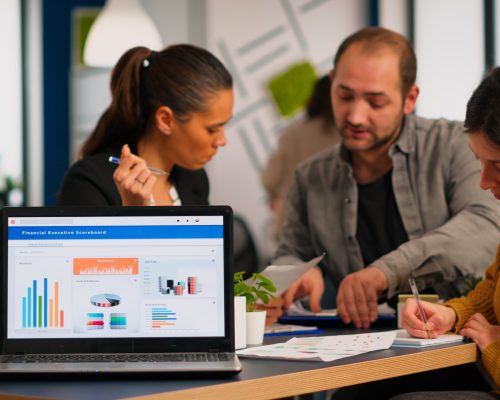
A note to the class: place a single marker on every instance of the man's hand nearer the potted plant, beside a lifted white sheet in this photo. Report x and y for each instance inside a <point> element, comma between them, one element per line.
<point>310,284</point>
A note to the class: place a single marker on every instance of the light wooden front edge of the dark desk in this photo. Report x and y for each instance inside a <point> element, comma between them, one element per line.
<point>384,364</point>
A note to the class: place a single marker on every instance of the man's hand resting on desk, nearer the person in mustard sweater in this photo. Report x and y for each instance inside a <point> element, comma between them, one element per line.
<point>357,296</point>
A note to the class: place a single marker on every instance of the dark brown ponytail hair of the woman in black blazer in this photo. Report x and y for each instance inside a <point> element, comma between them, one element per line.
<point>180,77</point>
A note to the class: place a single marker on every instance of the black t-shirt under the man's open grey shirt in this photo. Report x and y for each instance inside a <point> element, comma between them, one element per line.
<point>380,228</point>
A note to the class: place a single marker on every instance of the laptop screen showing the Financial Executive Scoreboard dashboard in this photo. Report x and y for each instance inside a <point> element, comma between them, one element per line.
<point>115,276</point>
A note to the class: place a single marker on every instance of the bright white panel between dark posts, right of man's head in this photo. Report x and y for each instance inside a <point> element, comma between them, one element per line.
<point>449,43</point>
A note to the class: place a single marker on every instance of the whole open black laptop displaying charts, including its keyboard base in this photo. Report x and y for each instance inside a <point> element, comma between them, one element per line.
<point>117,290</point>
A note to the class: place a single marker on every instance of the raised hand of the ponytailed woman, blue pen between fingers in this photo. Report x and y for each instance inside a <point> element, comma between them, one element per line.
<point>133,179</point>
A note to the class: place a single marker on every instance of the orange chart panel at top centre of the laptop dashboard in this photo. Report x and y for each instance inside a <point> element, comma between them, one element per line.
<point>105,266</point>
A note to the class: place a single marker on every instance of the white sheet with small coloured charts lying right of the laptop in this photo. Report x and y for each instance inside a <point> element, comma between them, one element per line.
<point>323,348</point>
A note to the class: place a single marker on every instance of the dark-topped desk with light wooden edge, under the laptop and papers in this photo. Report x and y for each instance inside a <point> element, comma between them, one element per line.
<point>260,379</point>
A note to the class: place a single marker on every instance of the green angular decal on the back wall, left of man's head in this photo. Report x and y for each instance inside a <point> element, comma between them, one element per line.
<point>291,89</point>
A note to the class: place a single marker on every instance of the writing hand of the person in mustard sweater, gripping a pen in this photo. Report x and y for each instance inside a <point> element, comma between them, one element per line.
<point>440,319</point>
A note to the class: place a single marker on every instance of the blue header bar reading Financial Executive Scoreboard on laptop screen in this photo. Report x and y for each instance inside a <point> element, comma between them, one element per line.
<point>116,232</point>
